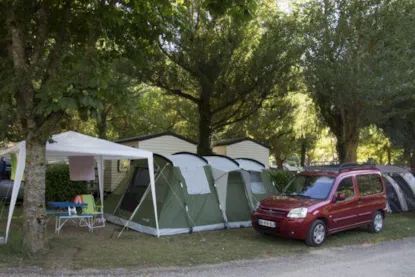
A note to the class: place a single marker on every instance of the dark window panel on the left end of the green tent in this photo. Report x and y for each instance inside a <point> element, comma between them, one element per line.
<point>136,189</point>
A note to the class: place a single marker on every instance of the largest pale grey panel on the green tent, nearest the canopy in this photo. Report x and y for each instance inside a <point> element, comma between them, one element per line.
<point>193,172</point>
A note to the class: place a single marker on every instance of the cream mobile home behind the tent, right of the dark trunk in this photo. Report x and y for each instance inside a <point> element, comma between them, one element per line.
<point>243,148</point>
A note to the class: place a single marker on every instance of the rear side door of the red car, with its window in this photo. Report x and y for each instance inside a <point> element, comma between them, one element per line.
<point>371,199</point>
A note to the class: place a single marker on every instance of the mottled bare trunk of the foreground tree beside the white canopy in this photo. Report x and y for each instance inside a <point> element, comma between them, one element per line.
<point>34,212</point>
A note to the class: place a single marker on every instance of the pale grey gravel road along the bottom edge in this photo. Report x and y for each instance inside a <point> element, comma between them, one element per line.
<point>394,258</point>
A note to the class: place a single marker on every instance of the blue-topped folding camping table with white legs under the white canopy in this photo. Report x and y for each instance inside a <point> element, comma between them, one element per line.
<point>83,218</point>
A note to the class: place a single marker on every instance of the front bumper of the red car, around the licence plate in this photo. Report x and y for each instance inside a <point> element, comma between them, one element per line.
<point>285,227</point>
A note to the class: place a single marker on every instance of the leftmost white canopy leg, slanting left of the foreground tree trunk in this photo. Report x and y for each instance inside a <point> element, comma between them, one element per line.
<point>21,164</point>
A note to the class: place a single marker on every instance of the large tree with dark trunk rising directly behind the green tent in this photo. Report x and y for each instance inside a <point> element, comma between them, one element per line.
<point>224,59</point>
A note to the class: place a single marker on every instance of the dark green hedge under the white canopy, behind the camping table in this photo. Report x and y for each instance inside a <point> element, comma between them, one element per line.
<point>58,185</point>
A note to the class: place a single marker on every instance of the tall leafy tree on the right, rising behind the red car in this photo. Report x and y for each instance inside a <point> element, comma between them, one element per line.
<point>350,62</point>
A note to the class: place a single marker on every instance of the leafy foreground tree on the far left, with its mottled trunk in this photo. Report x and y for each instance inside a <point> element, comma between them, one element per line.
<point>57,60</point>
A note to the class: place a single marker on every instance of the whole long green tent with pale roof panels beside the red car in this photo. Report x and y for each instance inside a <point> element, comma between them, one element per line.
<point>193,193</point>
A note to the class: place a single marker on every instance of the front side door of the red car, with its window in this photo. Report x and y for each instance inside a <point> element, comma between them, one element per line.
<point>342,213</point>
